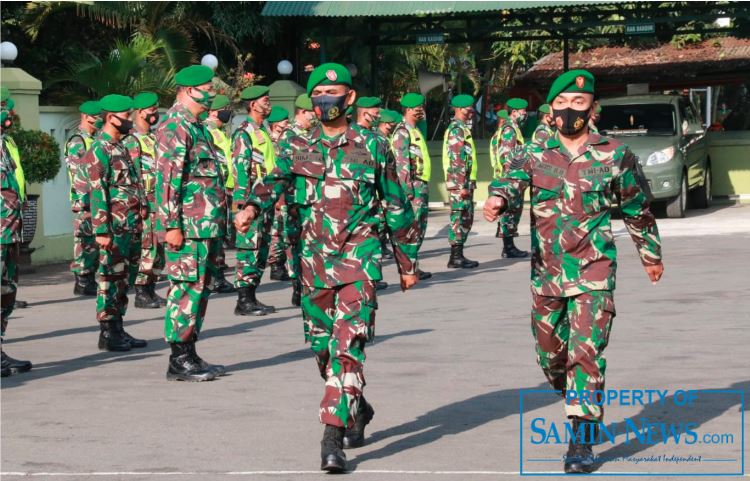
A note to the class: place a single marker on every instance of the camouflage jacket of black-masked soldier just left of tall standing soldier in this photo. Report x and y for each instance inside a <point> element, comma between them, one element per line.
<point>116,194</point>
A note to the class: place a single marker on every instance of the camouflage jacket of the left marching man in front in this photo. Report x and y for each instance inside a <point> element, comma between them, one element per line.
<point>338,185</point>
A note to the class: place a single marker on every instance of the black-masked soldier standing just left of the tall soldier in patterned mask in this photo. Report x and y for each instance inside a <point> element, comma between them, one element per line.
<point>118,206</point>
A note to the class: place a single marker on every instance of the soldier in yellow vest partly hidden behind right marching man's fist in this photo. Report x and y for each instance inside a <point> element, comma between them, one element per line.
<point>507,143</point>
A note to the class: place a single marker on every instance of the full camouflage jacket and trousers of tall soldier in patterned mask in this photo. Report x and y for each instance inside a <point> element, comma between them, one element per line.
<point>190,196</point>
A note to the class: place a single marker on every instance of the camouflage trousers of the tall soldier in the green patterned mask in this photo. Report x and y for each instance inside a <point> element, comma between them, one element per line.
<point>191,271</point>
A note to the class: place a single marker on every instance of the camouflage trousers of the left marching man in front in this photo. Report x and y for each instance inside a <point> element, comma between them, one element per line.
<point>338,322</point>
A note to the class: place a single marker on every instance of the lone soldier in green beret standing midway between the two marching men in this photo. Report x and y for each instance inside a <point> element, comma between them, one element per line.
<point>460,168</point>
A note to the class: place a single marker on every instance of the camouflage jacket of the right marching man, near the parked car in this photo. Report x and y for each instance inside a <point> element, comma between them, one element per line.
<point>573,248</point>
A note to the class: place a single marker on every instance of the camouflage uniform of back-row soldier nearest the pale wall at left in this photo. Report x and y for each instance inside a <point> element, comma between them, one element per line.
<point>85,248</point>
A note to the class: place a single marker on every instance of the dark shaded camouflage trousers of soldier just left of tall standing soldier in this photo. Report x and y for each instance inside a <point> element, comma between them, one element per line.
<point>118,265</point>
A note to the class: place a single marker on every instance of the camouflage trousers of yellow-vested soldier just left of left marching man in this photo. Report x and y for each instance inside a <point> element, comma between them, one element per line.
<point>252,251</point>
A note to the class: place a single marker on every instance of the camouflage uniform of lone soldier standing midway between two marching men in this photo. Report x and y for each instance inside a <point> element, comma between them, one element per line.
<point>458,178</point>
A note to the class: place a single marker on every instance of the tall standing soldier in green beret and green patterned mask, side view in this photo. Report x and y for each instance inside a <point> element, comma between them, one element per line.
<point>191,202</point>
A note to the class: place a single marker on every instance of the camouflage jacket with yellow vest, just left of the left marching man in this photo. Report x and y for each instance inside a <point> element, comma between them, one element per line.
<point>249,159</point>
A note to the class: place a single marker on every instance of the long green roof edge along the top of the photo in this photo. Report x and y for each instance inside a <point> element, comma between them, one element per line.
<point>382,9</point>
